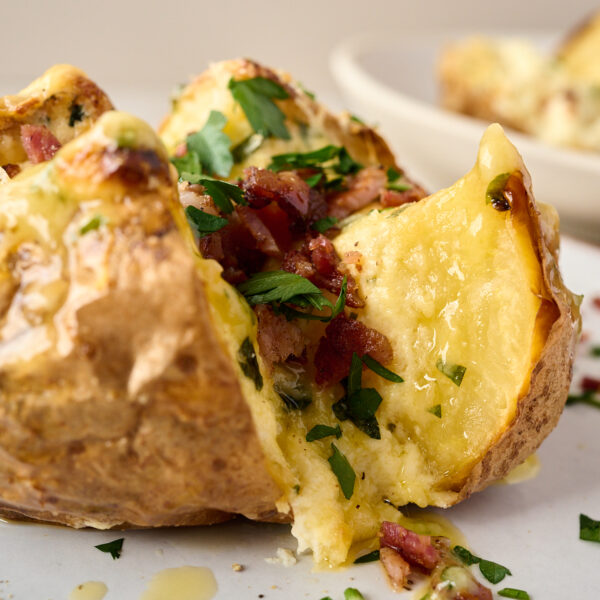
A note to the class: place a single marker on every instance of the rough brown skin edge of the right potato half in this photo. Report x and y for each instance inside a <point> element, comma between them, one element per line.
<point>539,410</point>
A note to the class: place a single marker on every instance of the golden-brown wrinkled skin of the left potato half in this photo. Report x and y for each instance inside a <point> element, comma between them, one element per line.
<point>140,422</point>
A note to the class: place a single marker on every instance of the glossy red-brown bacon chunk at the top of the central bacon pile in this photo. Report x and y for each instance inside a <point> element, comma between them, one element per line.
<point>286,188</point>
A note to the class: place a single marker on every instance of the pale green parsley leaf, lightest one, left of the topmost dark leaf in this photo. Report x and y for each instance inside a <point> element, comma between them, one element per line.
<point>211,146</point>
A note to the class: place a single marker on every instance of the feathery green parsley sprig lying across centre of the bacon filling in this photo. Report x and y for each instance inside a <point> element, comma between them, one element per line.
<point>281,288</point>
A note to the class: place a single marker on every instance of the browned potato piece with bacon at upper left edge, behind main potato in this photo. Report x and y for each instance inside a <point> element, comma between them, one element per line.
<point>51,111</point>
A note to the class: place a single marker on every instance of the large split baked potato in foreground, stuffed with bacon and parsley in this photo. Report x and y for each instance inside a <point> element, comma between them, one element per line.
<point>138,389</point>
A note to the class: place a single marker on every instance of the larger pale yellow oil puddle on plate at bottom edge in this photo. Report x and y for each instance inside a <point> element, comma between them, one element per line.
<point>182,583</point>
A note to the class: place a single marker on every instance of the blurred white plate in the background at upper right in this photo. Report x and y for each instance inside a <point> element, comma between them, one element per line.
<point>392,80</point>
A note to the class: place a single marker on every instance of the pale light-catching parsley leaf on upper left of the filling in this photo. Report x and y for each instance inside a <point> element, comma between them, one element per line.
<point>207,151</point>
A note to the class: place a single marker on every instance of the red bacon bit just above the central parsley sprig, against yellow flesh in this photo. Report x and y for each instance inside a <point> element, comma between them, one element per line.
<point>318,261</point>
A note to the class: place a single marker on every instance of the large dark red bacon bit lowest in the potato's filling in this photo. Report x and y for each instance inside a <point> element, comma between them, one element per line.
<point>343,336</point>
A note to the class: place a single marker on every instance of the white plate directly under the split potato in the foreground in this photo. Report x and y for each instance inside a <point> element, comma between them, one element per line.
<point>531,527</point>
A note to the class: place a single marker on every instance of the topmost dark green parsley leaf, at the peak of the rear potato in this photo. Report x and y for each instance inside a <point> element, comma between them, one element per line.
<point>255,96</point>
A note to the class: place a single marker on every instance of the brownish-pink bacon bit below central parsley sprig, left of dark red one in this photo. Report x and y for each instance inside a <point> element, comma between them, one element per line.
<point>278,338</point>
